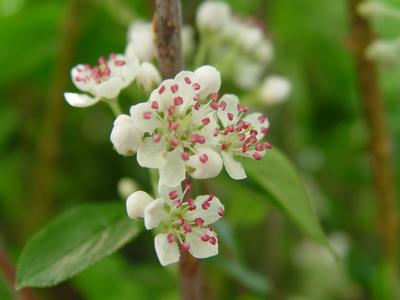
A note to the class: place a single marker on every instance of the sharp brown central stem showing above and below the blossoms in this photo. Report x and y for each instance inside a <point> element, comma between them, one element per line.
<point>167,24</point>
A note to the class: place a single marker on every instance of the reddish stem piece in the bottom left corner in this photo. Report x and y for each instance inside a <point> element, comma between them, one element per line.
<point>8,270</point>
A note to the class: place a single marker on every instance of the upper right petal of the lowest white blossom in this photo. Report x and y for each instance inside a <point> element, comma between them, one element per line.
<point>209,215</point>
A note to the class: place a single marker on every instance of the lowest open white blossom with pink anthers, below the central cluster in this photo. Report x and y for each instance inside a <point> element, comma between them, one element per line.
<point>182,226</point>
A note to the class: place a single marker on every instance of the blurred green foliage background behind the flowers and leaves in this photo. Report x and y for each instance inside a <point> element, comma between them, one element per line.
<point>53,156</point>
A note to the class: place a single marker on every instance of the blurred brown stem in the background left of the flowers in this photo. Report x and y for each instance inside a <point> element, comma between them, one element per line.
<point>43,173</point>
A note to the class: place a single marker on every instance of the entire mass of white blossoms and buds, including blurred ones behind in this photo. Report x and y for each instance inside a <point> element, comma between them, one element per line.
<point>185,127</point>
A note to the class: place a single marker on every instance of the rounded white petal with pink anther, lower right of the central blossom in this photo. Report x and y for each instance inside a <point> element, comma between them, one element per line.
<point>208,169</point>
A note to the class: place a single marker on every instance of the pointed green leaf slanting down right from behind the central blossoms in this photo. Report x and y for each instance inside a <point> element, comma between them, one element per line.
<point>276,175</point>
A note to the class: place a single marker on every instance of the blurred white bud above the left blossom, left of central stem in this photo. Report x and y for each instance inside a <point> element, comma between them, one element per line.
<point>140,35</point>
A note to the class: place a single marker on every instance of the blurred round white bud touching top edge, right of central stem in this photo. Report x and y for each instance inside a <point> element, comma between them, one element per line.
<point>212,16</point>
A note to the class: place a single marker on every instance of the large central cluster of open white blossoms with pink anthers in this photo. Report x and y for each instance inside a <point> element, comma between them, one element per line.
<point>185,127</point>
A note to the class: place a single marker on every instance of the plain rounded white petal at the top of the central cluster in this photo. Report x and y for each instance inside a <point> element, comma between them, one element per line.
<point>209,79</point>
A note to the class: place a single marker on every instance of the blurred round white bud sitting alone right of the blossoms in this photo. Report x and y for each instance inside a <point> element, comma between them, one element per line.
<point>275,89</point>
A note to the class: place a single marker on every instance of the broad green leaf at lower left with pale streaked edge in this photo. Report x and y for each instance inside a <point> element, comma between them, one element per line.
<point>73,242</point>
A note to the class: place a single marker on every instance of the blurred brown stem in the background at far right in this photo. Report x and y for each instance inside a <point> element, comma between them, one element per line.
<point>380,144</point>
